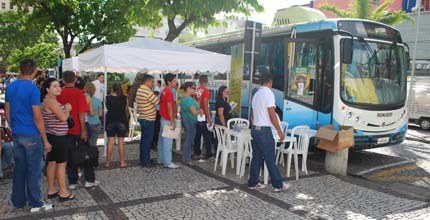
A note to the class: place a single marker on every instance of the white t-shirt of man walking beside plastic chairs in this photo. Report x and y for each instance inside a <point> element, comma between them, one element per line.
<point>262,100</point>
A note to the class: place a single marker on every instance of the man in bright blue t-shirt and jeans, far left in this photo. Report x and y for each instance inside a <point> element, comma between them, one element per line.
<point>25,118</point>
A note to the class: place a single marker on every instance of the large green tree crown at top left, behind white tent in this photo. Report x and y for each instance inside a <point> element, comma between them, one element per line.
<point>88,21</point>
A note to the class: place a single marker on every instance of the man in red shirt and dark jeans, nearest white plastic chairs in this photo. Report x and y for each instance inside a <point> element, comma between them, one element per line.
<point>203,96</point>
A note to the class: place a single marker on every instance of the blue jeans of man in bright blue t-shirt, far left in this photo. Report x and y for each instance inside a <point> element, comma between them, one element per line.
<point>27,175</point>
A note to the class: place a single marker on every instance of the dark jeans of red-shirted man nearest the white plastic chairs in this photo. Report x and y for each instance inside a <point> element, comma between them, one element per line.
<point>202,129</point>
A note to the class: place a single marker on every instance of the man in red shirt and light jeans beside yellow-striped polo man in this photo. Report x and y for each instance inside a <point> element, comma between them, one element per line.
<point>167,113</point>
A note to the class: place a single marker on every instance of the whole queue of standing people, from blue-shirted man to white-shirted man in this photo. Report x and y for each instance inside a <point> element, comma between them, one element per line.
<point>57,119</point>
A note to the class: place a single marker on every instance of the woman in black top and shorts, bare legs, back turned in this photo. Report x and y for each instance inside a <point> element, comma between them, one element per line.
<point>116,123</point>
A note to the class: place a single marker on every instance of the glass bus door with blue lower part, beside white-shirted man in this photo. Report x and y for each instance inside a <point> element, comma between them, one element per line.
<point>301,82</point>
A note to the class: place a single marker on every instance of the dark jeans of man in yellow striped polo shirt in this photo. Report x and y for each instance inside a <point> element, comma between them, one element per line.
<point>147,136</point>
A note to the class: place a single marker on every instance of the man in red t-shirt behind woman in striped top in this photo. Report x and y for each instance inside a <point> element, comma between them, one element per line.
<point>76,98</point>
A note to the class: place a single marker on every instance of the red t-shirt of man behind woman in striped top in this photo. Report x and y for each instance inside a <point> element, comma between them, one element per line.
<point>77,100</point>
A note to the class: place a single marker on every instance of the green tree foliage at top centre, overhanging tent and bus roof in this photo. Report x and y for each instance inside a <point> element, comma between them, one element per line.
<point>197,14</point>
